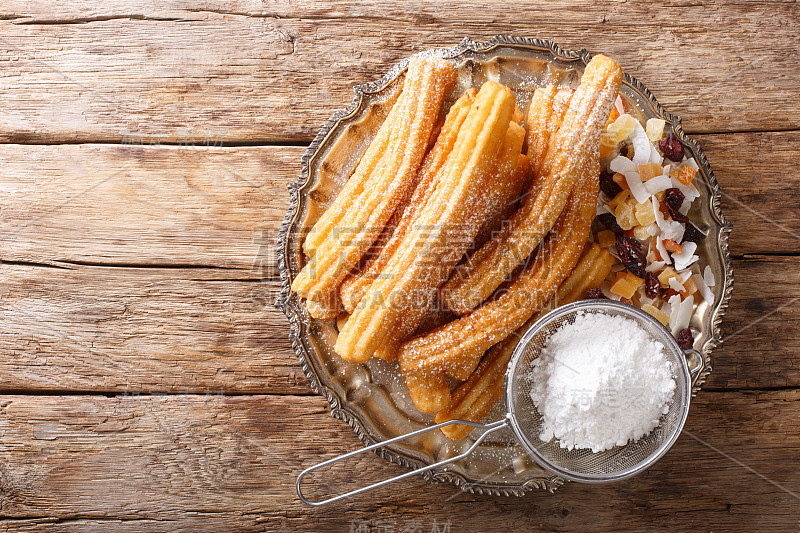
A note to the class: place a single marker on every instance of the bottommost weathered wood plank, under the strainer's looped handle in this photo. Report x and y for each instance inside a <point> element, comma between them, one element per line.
<point>90,461</point>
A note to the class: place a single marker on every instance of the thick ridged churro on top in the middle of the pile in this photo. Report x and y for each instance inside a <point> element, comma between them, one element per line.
<point>446,226</point>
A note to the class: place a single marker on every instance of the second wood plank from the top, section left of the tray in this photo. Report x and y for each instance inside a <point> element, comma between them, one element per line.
<point>116,204</point>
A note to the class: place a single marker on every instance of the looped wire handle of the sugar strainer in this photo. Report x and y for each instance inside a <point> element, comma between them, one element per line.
<point>488,428</point>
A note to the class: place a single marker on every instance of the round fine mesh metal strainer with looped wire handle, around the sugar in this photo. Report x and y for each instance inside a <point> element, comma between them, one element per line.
<point>579,464</point>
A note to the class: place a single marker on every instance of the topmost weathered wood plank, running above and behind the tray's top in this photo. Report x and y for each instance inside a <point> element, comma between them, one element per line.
<point>161,71</point>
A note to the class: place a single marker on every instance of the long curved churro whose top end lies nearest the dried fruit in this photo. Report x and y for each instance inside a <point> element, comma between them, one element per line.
<point>576,138</point>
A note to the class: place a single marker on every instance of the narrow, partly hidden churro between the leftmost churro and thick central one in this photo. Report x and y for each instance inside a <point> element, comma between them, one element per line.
<point>355,285</point>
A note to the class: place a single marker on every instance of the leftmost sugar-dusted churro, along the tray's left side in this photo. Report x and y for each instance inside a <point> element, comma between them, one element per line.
<point>359,214</point>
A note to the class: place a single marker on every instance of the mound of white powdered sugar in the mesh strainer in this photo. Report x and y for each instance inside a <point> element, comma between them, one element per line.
<point>600,382</point>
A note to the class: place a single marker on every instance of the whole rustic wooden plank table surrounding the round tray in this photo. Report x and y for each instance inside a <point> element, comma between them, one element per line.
<point>147,381</point>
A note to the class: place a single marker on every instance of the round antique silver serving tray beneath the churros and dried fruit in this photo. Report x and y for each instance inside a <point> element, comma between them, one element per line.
<point>370,397</point>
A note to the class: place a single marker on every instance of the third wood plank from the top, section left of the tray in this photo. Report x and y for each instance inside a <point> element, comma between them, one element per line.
<point>144,330</point>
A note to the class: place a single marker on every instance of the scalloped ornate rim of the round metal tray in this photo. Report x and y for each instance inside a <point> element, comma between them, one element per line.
<point>290,304</point>
